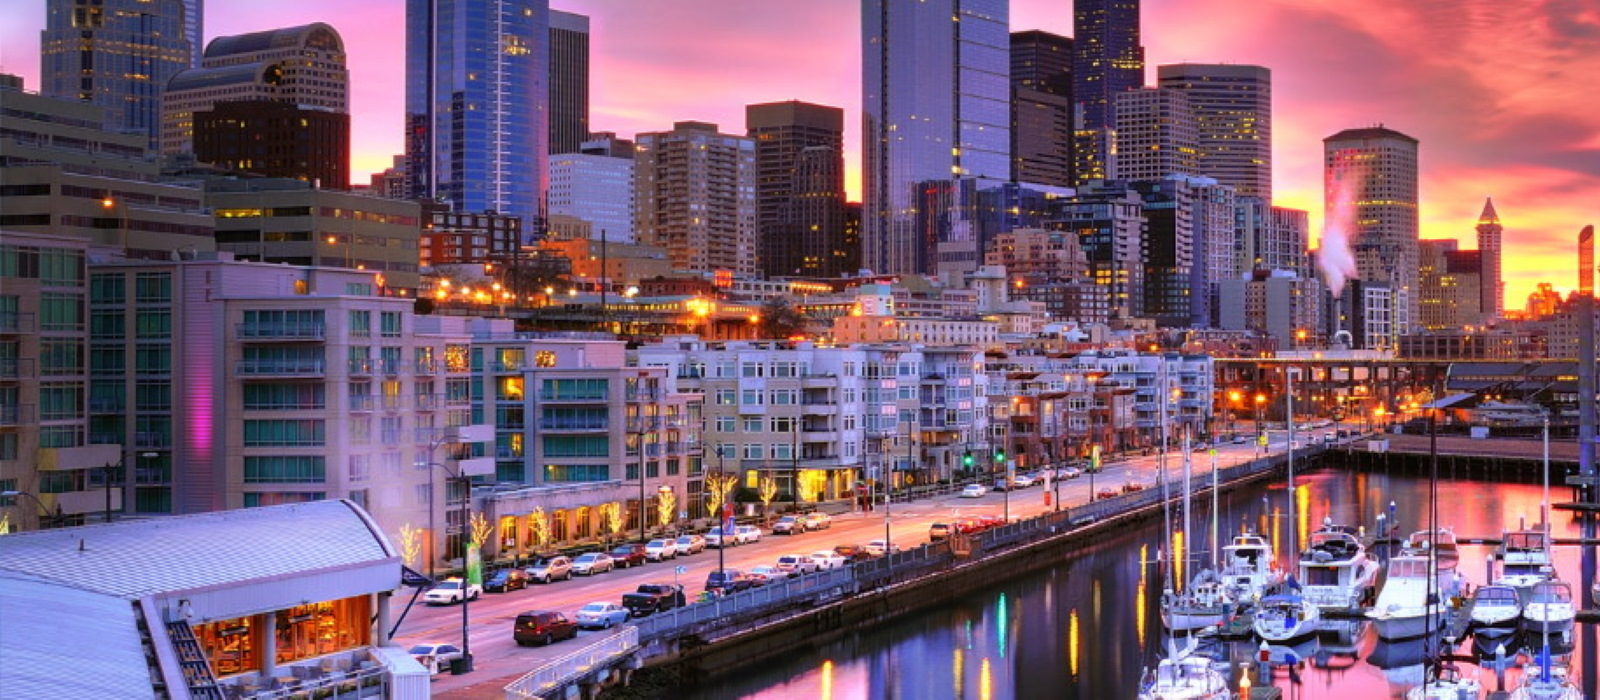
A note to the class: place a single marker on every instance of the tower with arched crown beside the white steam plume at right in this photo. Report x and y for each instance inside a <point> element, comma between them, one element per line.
<point>1370,180</point>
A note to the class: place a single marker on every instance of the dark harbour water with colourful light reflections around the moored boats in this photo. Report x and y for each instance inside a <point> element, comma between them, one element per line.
<point>1079,630</point>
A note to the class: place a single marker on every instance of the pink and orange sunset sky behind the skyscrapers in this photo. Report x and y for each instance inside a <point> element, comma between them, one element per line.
<point>1502,95</point>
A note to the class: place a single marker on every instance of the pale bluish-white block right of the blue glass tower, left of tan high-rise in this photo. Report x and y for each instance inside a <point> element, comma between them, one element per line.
<point>596,186</point>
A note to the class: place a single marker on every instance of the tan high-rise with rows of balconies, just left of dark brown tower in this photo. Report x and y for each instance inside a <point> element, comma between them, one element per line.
<point>695,196</point>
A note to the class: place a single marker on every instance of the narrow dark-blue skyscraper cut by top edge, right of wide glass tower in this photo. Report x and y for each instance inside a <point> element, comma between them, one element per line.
<point>1106,60</point>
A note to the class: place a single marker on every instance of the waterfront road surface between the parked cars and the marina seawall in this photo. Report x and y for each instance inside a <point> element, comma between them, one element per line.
<point>500,661</point>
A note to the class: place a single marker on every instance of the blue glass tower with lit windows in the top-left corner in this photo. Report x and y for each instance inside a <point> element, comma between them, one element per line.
<point>118,55</point>
